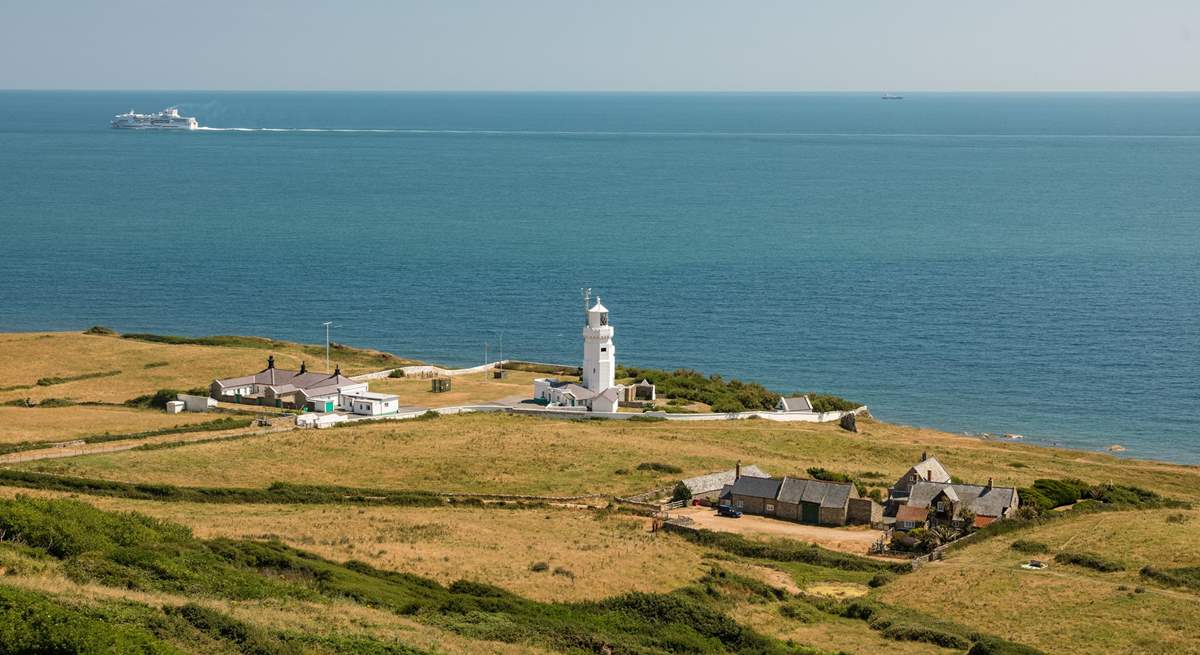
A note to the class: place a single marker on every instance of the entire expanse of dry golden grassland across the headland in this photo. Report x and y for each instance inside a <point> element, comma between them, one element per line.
<point>601,555</point>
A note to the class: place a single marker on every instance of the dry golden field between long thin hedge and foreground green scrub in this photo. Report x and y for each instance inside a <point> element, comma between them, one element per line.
<point>608,555</point>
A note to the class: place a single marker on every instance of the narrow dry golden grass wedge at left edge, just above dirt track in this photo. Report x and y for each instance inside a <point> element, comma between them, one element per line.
<point>61,424</point>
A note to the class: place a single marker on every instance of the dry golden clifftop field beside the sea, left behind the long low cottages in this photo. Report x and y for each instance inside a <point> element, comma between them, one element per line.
<point>26,358</point>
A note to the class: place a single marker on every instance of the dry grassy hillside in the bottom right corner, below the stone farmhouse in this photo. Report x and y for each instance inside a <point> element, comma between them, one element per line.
<point>1069,610</point>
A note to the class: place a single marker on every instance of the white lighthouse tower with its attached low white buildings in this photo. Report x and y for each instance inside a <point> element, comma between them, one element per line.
<point>598,389</point>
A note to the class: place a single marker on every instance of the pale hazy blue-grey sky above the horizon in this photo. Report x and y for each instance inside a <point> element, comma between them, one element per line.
<point>613,45</point>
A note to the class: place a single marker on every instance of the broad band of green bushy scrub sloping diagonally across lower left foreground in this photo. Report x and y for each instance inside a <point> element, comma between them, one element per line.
<point>136,552</point>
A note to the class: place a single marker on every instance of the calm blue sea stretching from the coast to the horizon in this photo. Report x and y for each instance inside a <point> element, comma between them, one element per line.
<point>981,263</point>
